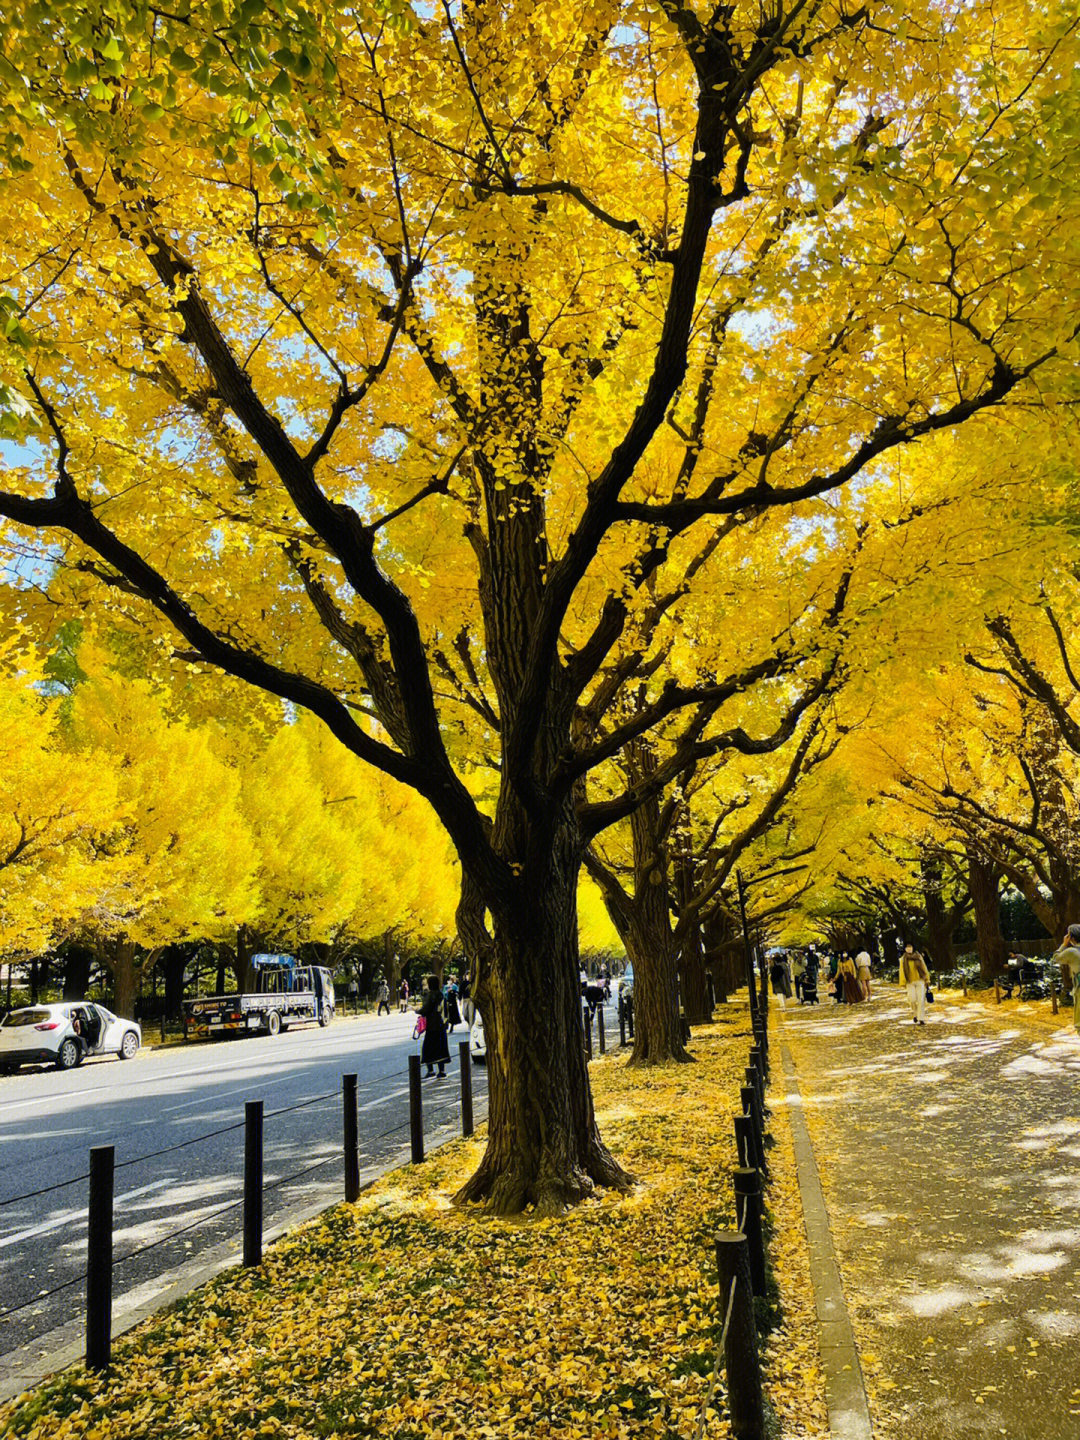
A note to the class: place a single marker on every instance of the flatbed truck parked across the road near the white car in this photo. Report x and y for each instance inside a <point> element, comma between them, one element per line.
<point>286,994</point>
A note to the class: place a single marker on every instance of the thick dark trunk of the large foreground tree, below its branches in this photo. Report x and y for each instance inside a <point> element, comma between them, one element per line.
<point>544,1144</point>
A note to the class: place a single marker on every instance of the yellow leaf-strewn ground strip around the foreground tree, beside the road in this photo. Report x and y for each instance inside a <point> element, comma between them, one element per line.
<point>407,1318</point>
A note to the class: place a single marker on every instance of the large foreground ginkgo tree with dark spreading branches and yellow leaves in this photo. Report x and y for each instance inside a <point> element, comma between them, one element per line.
<point>401,359</point>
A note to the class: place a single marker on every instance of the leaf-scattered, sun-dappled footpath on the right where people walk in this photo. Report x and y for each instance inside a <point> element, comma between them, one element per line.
<point>950,1157</point>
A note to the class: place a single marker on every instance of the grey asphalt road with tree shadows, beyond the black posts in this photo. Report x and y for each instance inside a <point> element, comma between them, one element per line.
<point>189,1102</point>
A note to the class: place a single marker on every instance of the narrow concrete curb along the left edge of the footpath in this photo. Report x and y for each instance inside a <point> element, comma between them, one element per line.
<point>846,1393</point>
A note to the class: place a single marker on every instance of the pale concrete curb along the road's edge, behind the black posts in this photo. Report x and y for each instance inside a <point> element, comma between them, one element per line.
<point>28,1367</point>
